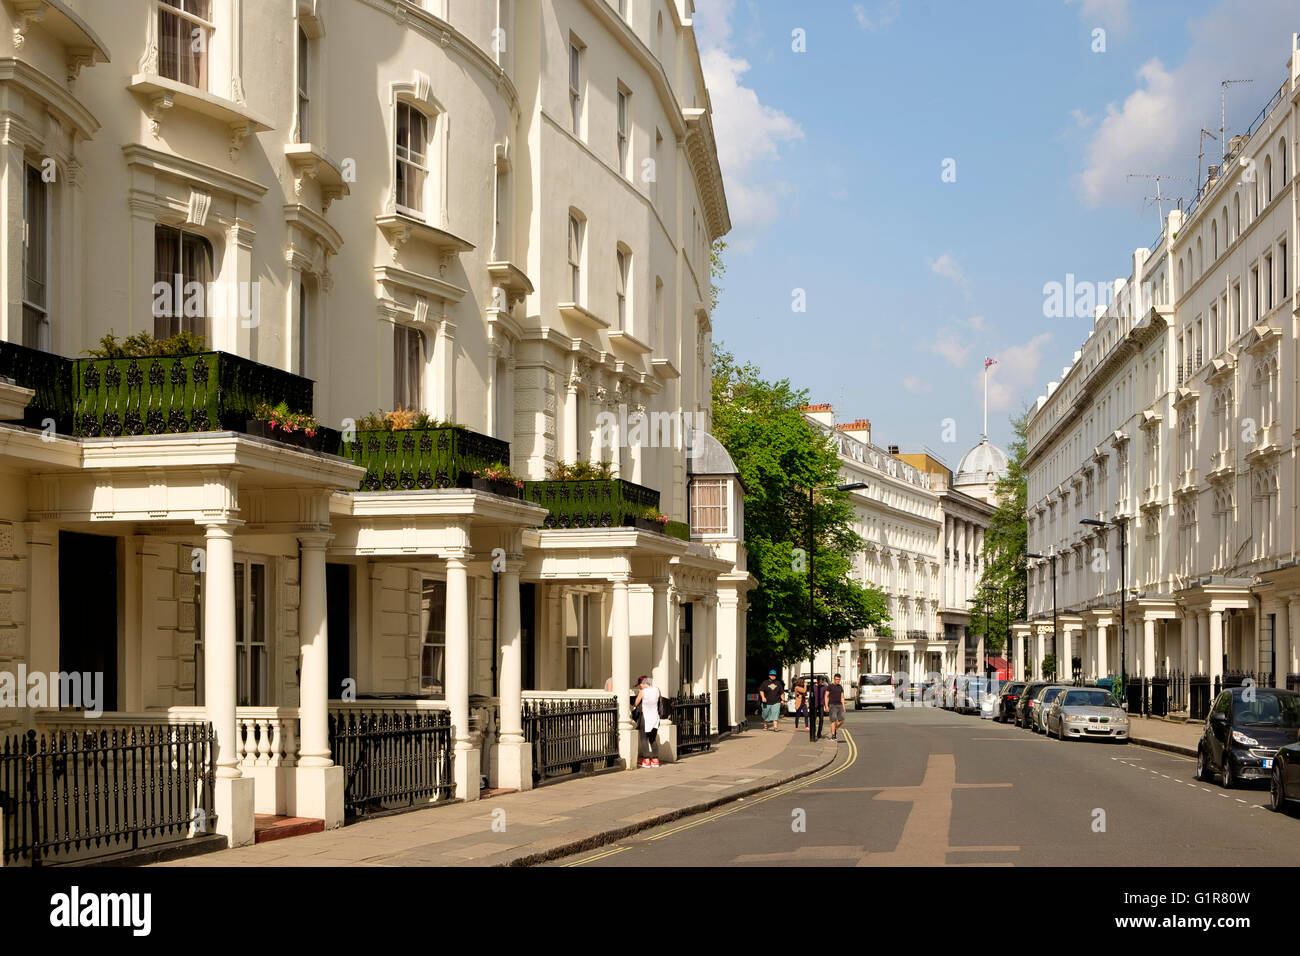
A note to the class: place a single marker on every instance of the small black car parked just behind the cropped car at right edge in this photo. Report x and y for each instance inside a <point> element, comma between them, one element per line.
<point>1243,733</point>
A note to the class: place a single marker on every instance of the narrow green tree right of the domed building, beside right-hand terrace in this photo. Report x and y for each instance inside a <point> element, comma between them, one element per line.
<point>1006,544</point>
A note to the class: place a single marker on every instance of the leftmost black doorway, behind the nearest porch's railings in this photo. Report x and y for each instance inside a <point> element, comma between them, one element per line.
<point>88,609</point>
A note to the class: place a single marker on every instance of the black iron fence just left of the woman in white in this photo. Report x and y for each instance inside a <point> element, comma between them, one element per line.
<point>571,736</point>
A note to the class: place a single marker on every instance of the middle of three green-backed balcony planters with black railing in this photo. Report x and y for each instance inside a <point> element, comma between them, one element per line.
<point>423,458</point>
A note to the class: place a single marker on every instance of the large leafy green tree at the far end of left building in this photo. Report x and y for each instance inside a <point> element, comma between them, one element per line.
<point>779,458</point>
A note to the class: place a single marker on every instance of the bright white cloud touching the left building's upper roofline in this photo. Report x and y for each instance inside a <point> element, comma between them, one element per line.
<point>749,133</point>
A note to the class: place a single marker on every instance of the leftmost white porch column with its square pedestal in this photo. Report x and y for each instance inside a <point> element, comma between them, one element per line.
<point>235,793</point>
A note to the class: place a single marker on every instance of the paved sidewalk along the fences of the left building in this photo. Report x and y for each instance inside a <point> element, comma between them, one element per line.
<point>553,821</point>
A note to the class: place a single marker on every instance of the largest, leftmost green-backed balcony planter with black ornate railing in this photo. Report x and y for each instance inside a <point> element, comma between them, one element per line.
<point>210,392</point>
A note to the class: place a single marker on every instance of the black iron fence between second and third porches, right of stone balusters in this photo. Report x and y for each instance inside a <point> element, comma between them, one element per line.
<point>392,760</point>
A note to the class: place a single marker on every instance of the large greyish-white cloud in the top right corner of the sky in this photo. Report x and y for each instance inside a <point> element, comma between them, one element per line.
<point>1156,128</point>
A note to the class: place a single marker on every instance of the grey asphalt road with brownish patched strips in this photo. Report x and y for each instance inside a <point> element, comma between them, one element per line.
<point>925,788</point>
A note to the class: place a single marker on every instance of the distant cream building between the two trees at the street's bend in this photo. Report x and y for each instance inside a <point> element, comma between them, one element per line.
<point>925,544</point>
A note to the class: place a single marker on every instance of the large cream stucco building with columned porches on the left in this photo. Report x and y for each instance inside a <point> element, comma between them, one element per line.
<point>497,213</point>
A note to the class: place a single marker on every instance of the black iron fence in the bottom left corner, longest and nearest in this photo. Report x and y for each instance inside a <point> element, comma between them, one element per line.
<point>88,794</point>
